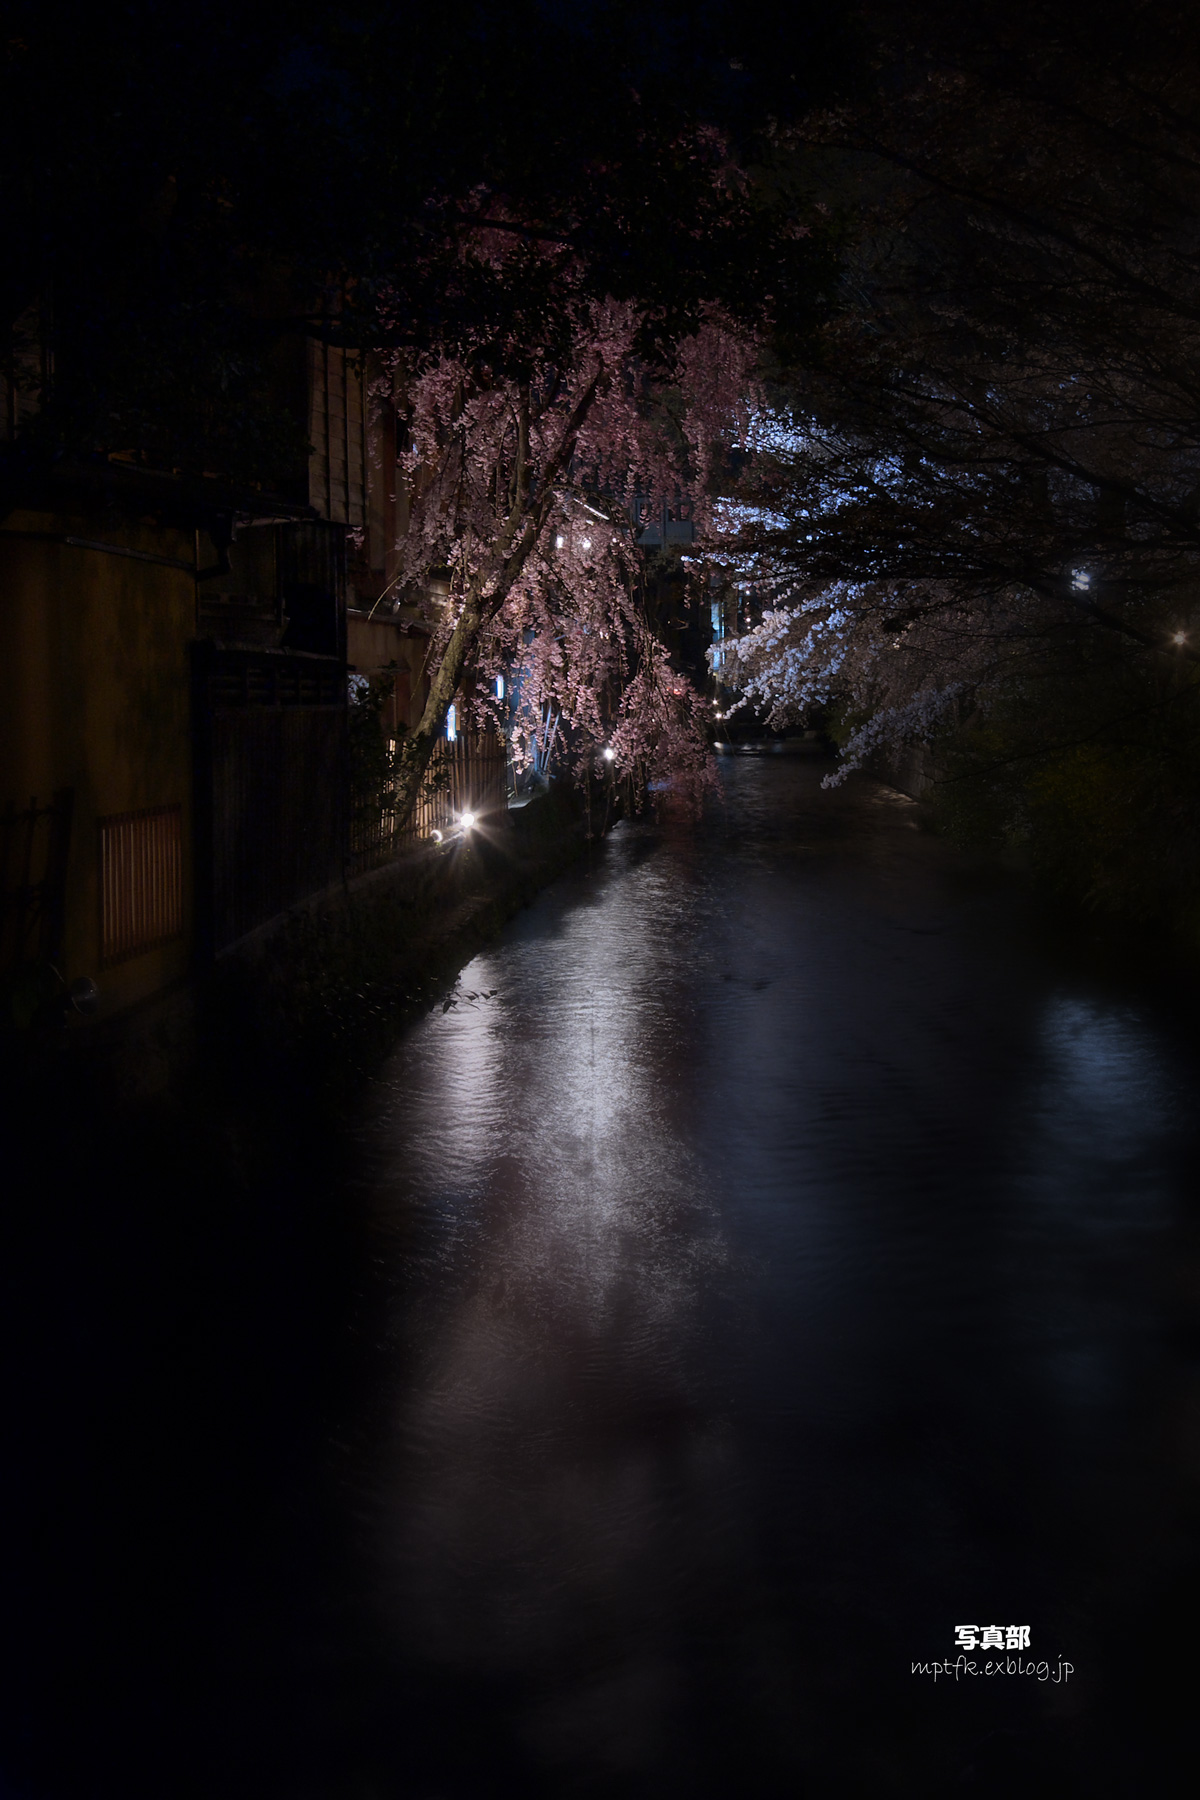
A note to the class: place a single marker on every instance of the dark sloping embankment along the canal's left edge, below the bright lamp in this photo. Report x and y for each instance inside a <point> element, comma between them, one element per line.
<point>318,994</point>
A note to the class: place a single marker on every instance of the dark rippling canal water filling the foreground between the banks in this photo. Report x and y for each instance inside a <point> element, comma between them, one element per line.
<point>769,1266</point>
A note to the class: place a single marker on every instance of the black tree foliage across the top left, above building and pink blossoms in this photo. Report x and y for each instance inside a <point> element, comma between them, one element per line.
<point>183,184</point>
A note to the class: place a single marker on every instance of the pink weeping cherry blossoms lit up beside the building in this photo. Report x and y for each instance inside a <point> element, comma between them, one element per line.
<point>524,467</point>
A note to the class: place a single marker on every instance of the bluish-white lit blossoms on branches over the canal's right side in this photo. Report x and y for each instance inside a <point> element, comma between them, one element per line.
<point>940,624</point>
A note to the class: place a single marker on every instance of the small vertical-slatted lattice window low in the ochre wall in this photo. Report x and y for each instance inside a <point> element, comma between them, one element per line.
<point>141,881</point>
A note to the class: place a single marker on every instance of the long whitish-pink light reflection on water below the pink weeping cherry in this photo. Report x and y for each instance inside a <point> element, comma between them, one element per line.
<point>562,1462</point>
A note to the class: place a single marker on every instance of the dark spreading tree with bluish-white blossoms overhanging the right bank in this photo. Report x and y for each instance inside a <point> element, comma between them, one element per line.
<point>976,521</point>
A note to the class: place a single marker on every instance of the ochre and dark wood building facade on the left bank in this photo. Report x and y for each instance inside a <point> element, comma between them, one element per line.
<point>174,697</point>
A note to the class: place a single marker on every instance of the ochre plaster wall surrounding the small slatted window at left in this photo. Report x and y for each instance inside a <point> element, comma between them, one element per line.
<point>94,696</point>
